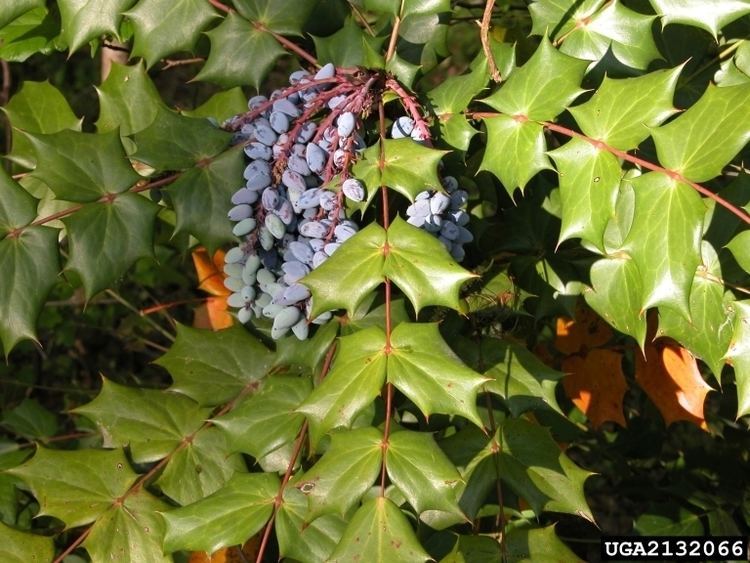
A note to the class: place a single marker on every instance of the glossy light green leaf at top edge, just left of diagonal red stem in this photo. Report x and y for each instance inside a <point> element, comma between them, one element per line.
<point>163,27</point>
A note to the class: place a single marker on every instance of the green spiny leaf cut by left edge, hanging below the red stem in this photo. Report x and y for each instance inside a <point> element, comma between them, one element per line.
<point>29,265</point>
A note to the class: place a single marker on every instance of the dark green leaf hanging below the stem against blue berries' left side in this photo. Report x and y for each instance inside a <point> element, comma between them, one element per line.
<point>201,198</point>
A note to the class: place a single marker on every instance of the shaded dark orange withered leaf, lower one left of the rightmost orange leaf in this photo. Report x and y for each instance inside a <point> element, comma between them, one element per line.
<point>596,385</point>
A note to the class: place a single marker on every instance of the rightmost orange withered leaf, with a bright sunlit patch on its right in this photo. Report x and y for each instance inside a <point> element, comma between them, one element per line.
<point>670,377</point>
